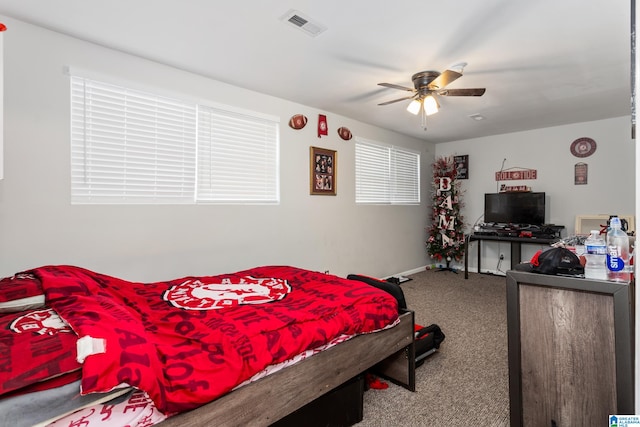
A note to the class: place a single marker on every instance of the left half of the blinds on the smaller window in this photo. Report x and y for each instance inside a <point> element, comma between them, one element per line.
<point>372,173</point>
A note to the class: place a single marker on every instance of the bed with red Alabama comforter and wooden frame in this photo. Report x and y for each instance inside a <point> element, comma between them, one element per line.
<point>340,329</point>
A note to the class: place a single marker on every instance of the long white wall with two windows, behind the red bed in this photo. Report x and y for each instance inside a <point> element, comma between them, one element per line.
<point>38,224</point>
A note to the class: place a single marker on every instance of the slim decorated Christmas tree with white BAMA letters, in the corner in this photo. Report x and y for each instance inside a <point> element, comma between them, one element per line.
<point>446,237</point>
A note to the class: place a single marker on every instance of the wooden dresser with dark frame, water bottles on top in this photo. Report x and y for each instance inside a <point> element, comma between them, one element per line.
<point>570,350</point>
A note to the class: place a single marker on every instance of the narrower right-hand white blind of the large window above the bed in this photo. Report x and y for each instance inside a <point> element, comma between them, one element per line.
<point>237,157</point>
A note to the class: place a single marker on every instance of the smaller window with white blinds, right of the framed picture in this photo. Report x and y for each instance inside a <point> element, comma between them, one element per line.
<point>386,174</point>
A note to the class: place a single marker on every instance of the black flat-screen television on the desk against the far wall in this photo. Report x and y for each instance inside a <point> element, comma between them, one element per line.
<point>514,208</point>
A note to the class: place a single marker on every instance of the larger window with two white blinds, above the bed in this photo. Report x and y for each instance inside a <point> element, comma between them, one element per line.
<point>129,147</point>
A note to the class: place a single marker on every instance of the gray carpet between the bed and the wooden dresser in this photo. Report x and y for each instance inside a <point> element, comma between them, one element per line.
<point>466,382</point>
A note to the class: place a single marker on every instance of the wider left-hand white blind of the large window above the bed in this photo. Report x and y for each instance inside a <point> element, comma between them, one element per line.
<point>129,146</point>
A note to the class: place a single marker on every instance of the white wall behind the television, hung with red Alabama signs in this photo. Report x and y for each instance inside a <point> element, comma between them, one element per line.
<point>611,176</point>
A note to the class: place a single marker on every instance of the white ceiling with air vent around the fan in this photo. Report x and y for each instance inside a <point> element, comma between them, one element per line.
<point>543,62</point>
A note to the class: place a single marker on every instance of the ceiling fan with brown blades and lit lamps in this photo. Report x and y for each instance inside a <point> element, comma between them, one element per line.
<point>428,85</point>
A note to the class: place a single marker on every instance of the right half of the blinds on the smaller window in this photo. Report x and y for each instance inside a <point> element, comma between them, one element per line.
<point>405,177</point>
